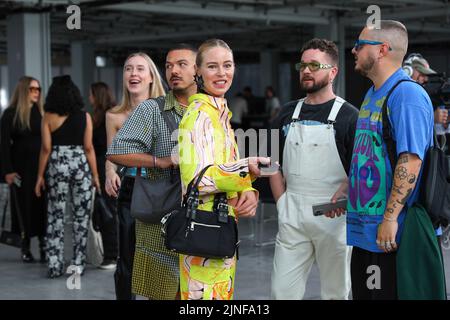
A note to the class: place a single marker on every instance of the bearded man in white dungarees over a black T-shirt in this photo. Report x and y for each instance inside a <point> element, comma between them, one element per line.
<point>316,136</point>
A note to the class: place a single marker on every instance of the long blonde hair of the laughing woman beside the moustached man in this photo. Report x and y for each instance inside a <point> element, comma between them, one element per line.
<point>156,88</point>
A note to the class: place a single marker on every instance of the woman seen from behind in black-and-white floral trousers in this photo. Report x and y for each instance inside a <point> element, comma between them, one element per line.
<point>68,158</point>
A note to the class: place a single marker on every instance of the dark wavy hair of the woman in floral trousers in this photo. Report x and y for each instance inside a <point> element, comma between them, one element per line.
<point>63,97</point>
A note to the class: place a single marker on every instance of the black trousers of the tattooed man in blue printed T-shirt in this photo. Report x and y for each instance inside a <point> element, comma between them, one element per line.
<point>374,275</point>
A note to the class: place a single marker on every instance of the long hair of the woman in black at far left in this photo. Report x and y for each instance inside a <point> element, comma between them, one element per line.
<point>21,103</point>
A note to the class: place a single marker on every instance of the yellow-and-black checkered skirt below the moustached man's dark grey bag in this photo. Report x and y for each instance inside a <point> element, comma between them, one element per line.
<point>155,269</point>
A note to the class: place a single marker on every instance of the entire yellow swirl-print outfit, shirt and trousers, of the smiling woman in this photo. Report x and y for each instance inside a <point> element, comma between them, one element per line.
<point>206,137</point>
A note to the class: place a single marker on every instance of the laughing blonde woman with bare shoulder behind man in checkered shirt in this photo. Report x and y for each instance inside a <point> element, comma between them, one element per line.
<point>141,81</point>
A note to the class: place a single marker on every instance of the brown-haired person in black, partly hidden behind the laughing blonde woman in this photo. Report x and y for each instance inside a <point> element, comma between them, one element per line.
<point>101,99</point>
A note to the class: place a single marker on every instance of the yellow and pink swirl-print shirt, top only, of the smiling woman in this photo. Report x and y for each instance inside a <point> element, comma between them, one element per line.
<point>206,137</point>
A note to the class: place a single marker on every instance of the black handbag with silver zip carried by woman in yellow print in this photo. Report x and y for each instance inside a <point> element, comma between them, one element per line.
<point>201,233</point>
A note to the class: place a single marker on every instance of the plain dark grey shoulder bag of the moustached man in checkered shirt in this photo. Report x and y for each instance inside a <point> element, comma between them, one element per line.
<point>152,199</point>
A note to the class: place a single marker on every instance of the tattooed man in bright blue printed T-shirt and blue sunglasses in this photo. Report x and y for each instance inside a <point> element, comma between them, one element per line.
<point>379,192</point>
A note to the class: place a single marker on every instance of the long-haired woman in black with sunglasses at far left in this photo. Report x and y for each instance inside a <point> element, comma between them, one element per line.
<point>20,145</point>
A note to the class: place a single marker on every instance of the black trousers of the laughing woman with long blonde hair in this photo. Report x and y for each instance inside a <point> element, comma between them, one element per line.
<point>127,241</point>
